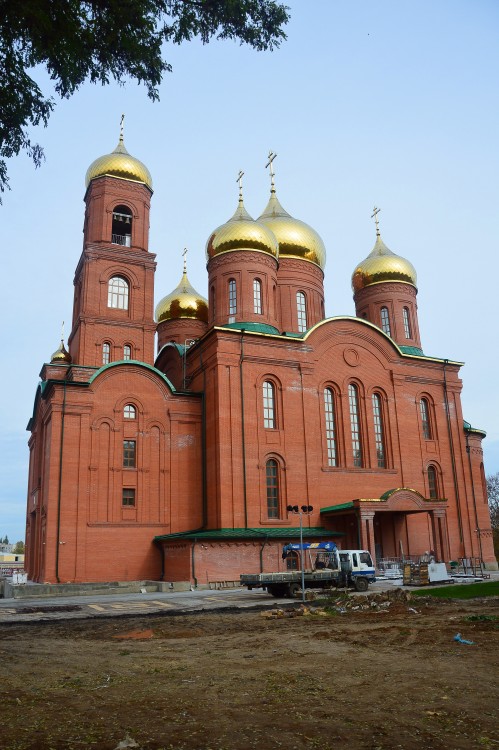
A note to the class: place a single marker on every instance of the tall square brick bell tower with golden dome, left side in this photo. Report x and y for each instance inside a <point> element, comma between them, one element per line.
<point>114,281</point>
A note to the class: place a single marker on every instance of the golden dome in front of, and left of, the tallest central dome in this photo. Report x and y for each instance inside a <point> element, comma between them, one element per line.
<point>241,232</point>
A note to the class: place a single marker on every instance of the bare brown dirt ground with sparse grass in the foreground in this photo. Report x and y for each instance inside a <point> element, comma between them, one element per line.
<point>377,677</point>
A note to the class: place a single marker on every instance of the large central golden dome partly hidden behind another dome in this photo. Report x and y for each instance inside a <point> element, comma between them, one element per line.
<point>296,239</point>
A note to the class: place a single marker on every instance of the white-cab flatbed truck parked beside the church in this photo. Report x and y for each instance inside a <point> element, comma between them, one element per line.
<point>324,566</point>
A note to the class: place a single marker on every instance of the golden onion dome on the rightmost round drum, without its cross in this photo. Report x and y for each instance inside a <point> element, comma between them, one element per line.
<point>383,265</point>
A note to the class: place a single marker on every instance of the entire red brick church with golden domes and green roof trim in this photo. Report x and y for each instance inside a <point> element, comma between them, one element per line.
<point>180,465</point>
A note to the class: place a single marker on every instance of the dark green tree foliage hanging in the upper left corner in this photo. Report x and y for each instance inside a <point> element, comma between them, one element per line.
<point>100,40</point>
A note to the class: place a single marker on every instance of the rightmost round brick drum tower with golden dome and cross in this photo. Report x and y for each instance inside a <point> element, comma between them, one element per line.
<point>384,287</point>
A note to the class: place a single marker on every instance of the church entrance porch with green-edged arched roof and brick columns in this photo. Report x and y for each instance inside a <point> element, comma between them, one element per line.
<point>399,524</point>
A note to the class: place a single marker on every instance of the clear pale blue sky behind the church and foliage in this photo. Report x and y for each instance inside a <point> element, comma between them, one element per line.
<point>388,103</point>
